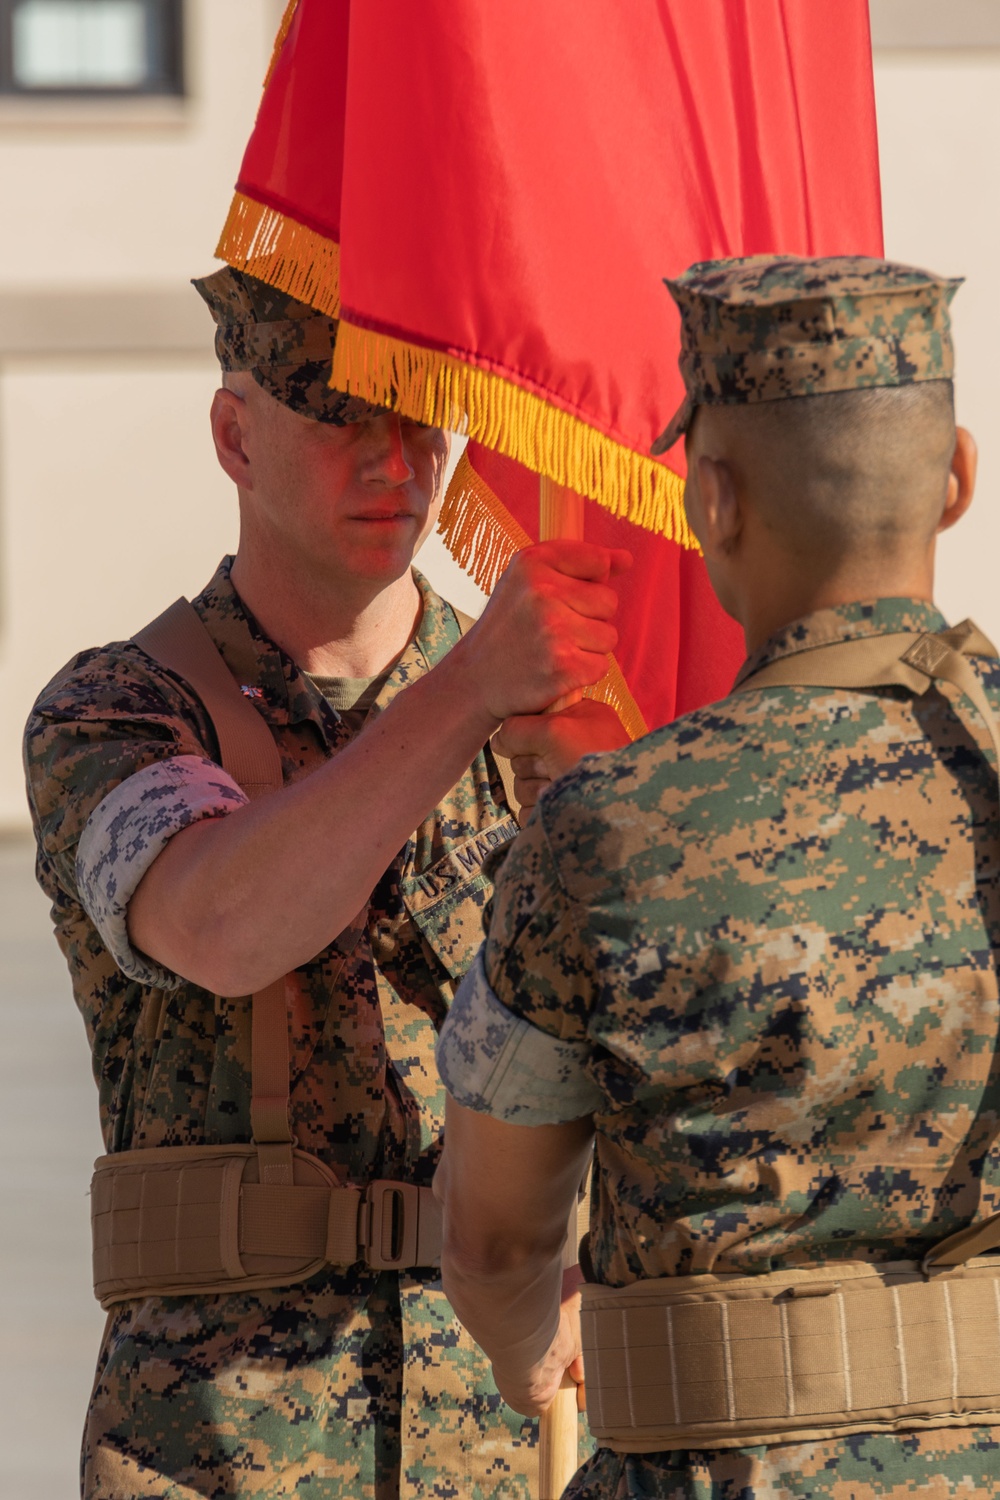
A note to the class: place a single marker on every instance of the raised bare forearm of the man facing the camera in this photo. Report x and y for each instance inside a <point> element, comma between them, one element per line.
<point>236,902</point>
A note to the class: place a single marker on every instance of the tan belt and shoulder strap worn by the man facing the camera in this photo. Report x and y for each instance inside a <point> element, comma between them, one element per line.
<point>178,1220</point>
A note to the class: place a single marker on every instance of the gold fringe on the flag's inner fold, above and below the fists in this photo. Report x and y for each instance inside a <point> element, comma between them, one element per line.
<point>482,536</point>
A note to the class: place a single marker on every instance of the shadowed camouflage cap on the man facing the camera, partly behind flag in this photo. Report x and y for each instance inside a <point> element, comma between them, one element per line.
<point>286,344</point>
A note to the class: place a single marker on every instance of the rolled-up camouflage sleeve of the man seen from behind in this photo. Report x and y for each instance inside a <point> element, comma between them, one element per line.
<point>515,1043</point>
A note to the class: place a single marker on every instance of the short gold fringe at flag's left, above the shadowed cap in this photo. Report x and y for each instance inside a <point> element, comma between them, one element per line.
<point>283,253</point>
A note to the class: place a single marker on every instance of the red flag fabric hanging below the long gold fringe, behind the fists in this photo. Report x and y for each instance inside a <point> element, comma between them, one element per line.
<point>678,649</point>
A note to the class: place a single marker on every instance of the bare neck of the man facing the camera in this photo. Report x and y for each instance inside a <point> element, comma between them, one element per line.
<point>328,625</point>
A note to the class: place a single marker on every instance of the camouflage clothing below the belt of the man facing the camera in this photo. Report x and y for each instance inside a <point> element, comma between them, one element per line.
<point>296,1394</point>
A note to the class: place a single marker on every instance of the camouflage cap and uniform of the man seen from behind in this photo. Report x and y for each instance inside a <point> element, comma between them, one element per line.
<point>761,946</point>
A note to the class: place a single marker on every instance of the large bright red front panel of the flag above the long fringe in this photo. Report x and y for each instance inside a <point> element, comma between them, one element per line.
<point>519,178</point>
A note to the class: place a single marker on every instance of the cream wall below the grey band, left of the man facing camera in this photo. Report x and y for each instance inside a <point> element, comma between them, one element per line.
<point>115,505</point>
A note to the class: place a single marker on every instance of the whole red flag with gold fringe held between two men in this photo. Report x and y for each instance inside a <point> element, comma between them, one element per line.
<point>490,196</point>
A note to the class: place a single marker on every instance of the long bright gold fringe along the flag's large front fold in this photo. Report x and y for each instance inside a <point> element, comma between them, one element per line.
<point>446,392</point>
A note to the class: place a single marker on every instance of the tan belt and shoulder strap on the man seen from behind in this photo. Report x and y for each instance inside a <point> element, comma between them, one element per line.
<point>810,1352</point>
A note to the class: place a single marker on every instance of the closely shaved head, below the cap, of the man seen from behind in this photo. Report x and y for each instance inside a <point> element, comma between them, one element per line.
<point>845,473</point>
